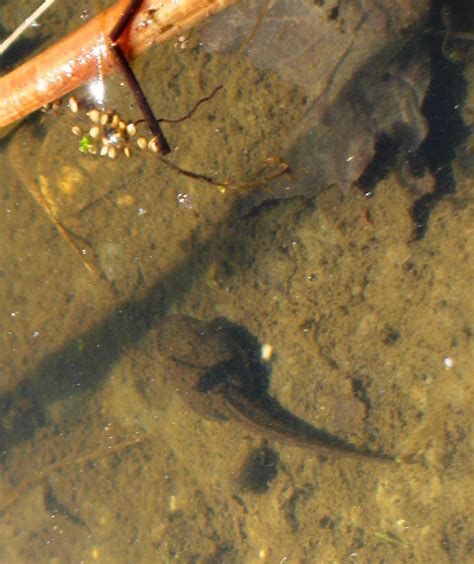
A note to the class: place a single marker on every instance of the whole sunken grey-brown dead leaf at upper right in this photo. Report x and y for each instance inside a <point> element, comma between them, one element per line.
<point>362,67</point>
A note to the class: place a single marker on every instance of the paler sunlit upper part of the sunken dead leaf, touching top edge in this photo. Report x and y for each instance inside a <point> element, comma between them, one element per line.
<point>316,45</point>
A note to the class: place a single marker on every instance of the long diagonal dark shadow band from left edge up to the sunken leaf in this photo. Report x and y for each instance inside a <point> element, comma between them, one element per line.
<point>83,364</point>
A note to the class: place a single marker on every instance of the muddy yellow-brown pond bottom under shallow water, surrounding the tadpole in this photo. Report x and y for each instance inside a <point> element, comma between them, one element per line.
<point>371,333</point>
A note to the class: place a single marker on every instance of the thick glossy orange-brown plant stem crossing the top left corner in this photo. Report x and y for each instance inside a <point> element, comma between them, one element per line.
<point>84,54</point>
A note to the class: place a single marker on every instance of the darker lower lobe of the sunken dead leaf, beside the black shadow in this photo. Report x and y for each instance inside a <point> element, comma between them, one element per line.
<point>380,105</point>
